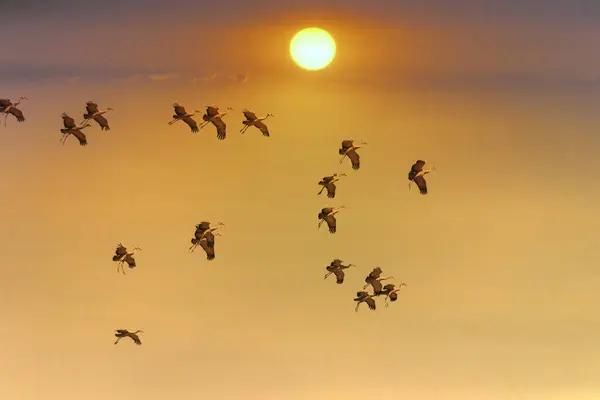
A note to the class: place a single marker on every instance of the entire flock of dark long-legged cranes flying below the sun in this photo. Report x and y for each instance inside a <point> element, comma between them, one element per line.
<point>204,235</point>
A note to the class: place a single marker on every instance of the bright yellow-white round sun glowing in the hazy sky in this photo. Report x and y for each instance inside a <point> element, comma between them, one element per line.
<point>312,48</point>
